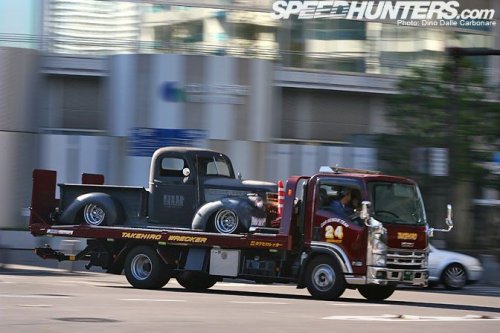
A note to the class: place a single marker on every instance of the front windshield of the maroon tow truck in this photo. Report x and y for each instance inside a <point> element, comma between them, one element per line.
<point>397,203</point>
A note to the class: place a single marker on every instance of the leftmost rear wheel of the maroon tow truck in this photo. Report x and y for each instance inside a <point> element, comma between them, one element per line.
<point>144,268</point>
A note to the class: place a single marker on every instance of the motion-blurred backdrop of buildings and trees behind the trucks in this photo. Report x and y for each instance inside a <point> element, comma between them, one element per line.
<point>96,86</point>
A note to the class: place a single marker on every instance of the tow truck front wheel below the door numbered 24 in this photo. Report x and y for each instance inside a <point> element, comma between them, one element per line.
<point>324,278</point>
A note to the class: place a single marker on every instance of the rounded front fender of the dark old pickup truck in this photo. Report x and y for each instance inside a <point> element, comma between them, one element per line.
<point>244,207</point>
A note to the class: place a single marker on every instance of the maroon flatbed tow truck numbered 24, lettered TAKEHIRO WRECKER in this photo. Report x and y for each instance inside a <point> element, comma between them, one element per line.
<point>382,244</point>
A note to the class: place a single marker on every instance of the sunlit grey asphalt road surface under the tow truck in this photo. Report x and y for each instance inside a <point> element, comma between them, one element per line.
<point>45,300</point>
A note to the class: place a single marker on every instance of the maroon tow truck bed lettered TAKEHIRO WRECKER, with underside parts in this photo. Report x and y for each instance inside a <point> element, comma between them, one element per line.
<point>108,246</point>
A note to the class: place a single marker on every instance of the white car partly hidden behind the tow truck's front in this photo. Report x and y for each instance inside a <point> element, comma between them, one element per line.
<point>452,269</point>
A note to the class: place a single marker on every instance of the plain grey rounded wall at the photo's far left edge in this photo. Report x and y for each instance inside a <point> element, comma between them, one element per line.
<point>18,122</point>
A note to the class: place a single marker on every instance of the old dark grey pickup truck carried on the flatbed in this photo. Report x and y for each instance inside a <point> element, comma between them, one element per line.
<point>188,188</point>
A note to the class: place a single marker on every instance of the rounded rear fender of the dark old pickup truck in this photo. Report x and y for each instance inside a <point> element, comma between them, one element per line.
<point>73,213</point>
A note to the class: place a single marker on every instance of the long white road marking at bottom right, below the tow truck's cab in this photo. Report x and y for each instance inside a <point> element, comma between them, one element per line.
<point>408,318</point>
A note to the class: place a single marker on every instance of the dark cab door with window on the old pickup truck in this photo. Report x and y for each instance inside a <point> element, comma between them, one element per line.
<point>173,192</point>
